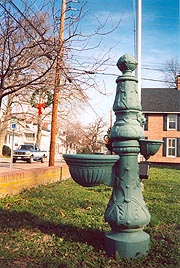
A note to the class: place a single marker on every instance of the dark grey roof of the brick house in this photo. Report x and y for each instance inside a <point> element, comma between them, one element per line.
<point>162,100</point>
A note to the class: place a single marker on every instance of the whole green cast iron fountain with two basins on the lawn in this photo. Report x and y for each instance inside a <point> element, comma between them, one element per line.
<point>126,211</point>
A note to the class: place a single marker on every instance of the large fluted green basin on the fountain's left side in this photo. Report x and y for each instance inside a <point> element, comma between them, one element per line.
<point>91,169</point>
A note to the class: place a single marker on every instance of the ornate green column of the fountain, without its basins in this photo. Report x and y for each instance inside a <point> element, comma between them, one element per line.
<point>126,211</point>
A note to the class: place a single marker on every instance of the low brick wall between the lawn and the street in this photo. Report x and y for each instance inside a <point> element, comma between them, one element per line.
<point>12,183</point>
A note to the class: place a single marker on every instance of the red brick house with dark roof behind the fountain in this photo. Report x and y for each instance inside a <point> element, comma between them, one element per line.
<point>161,107</point>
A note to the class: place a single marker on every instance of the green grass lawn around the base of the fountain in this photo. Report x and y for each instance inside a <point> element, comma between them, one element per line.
<point>62,225</point>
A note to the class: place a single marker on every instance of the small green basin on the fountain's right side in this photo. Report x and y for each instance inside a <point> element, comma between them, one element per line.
<point>149,147</point>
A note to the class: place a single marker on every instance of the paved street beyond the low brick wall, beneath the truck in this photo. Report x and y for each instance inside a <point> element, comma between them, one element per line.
<point>21,165</point>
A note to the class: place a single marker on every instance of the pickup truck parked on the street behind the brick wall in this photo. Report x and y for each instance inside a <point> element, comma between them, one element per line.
<point>29,153</point>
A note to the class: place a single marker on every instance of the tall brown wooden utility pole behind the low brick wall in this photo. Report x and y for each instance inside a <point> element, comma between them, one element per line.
<point>58,74</point>
